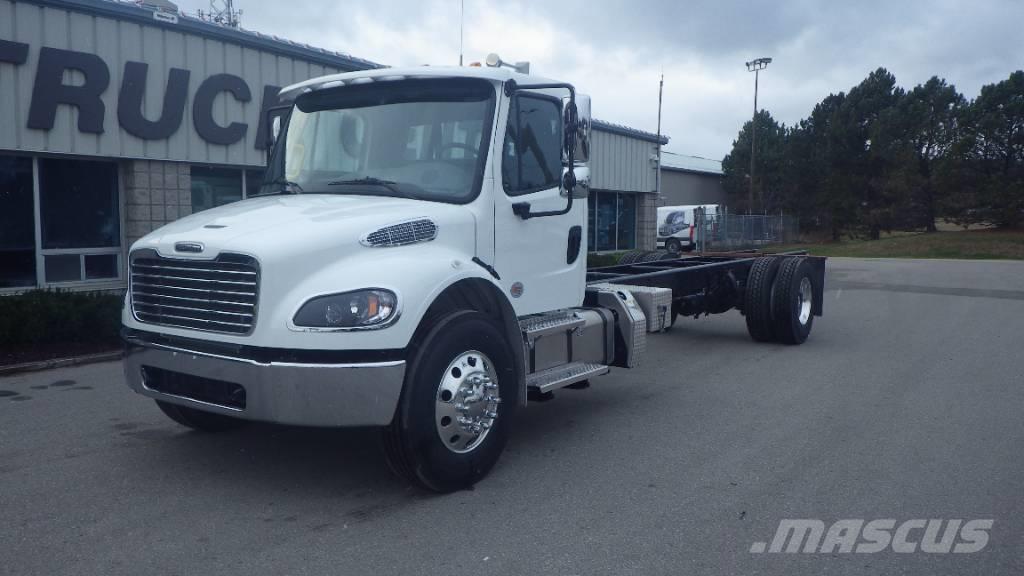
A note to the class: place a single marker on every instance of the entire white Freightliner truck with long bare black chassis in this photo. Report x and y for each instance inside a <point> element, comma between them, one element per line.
<point>416,261</point>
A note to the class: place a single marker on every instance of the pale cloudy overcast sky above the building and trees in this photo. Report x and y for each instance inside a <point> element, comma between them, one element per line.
<point>616,51</point>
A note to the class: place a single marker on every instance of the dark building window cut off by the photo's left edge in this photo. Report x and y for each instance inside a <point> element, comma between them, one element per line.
<point>18,231</point>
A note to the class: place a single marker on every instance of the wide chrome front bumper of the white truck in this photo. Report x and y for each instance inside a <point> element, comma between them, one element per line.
<point>310,395</point>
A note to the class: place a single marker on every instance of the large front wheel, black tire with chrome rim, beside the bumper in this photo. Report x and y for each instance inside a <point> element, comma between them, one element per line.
<point>414,445</point>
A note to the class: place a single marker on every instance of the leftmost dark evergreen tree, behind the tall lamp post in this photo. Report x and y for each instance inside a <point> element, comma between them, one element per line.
<point>769,183</point>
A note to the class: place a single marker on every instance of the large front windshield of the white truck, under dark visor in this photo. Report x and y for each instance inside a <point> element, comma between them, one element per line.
<point>415,139</point>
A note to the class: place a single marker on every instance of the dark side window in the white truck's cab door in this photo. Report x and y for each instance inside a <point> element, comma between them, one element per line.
<point>532,157</point>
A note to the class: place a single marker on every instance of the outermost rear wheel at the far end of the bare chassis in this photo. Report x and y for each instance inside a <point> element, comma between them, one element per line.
<point>793,302</point>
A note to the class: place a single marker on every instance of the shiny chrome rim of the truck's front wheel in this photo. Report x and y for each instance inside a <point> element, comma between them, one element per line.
<point>466,404</point>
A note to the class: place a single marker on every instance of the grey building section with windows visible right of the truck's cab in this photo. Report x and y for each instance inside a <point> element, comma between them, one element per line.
<point>624,188</point>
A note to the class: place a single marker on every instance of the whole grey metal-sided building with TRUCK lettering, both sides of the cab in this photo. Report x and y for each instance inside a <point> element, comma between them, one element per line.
<point>117,118</point>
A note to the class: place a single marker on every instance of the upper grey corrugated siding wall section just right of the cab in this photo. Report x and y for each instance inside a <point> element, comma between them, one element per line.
<point>621,163</point>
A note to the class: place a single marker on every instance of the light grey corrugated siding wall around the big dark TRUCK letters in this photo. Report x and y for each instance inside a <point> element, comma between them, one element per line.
<point>117,43</point>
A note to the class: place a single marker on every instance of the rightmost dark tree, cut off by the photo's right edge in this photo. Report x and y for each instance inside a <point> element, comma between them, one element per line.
<point>987,182</point>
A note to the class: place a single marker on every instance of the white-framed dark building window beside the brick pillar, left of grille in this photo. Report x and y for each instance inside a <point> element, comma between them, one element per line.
<point>80,221</point>
